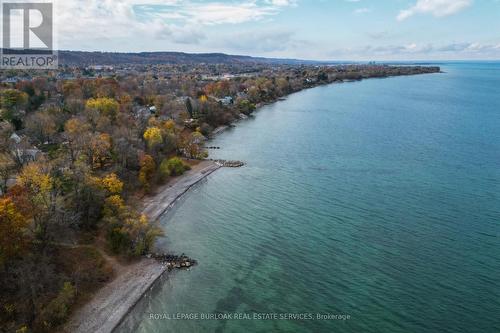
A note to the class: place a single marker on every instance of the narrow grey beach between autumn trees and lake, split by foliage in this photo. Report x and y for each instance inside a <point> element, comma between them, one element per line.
<point>112,303</point>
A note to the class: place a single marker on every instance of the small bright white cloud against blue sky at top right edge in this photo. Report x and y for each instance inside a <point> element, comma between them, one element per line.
<point>437,8</point>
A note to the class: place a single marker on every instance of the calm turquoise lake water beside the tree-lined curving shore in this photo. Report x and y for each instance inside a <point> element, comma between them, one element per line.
<point>376,199</point>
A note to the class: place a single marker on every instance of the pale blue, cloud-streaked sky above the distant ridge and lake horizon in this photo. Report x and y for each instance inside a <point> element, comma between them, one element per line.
<point>301,29</point>
